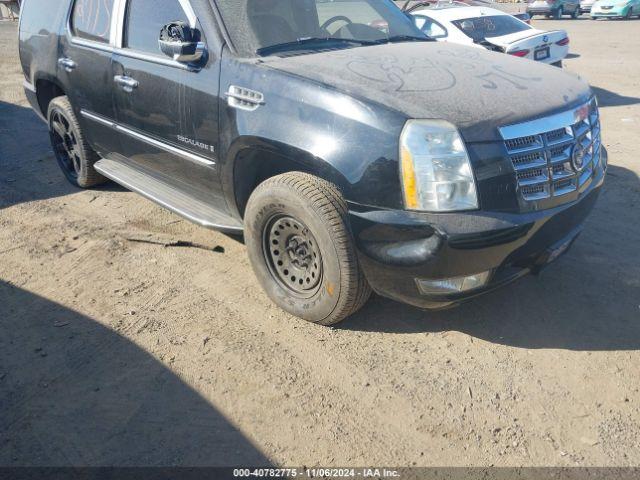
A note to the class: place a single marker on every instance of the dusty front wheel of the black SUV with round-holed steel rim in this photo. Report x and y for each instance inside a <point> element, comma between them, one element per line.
<point>293,220</point>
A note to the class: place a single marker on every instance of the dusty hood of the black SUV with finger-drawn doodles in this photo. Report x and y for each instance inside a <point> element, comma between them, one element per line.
<point>476,90</point>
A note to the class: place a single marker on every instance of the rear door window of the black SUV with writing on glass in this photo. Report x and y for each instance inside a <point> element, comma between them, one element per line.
<point>91,19</point>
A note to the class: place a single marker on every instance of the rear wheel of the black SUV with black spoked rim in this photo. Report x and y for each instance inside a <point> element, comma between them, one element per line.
<point>74,155</point>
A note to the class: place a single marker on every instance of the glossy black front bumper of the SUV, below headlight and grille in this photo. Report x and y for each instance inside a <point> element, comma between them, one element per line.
<point>398,248</point>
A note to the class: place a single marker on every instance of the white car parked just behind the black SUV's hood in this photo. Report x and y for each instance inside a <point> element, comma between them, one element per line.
<point>492,29</point>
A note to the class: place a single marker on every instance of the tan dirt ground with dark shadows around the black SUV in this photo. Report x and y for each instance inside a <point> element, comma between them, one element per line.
<point>115,351</point>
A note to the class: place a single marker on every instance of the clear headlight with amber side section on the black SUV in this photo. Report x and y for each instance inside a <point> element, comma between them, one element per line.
<point>435,168</point>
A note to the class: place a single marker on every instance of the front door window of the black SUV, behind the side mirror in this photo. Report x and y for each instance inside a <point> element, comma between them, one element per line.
<point>146,18</point>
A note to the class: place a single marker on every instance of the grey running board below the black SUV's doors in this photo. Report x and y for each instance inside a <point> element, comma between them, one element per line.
<point>166,195</point>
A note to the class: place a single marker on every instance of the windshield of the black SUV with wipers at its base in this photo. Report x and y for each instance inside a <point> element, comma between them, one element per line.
<point>256,26</point>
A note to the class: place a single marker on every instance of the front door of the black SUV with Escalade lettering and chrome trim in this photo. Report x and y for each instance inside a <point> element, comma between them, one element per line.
<point>152,100</point>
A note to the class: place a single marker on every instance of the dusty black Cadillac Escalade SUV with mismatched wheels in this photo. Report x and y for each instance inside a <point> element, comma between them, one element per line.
<point>352,152</point>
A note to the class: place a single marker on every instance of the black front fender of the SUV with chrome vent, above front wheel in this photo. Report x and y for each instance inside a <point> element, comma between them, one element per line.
<point>339,137</point>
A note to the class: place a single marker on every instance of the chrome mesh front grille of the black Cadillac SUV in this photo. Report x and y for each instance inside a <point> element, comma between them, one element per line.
<point>542,152</point>
